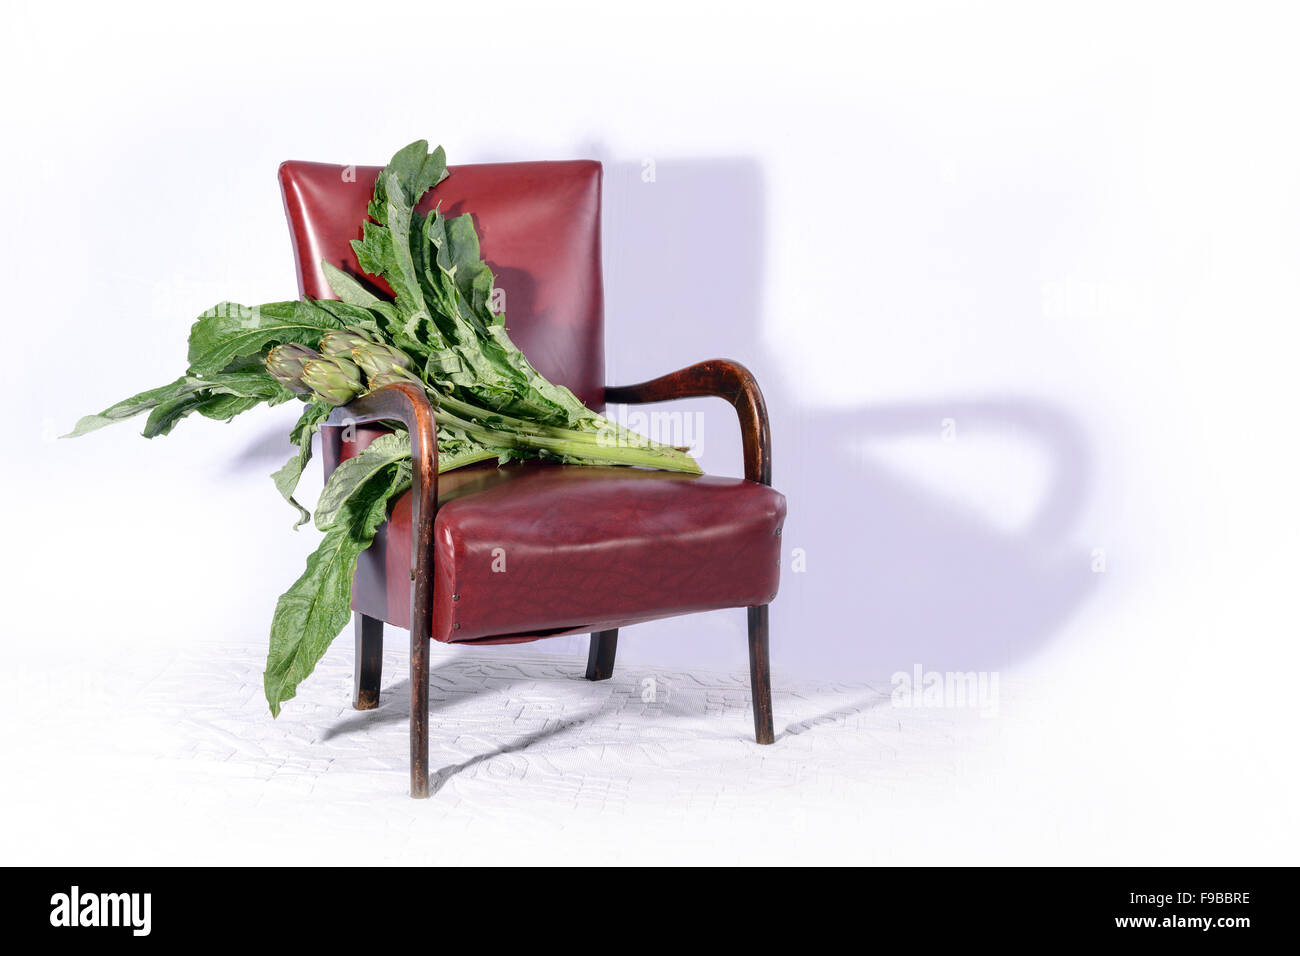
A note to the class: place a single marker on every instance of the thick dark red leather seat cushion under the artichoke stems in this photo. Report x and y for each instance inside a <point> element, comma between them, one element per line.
<point>535,550</point>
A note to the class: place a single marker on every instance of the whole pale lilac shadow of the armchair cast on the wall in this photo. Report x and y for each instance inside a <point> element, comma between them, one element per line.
<point>895,573</point>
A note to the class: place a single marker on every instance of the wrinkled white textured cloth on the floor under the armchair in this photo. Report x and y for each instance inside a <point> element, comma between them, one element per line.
<point>174,758</point>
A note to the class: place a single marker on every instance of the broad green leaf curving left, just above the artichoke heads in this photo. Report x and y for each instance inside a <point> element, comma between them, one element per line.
<point>228,332</point>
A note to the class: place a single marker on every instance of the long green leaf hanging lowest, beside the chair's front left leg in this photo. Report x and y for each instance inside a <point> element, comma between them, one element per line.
<point>314,611</point>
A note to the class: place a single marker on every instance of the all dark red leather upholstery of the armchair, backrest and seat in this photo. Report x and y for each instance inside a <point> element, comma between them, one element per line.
<point>586,550</point>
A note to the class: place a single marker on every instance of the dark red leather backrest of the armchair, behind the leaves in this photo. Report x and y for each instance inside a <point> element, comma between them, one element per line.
<point>539,228</point>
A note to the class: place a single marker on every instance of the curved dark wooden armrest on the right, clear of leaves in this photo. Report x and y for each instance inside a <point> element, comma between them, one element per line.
<point>725,379</point>
